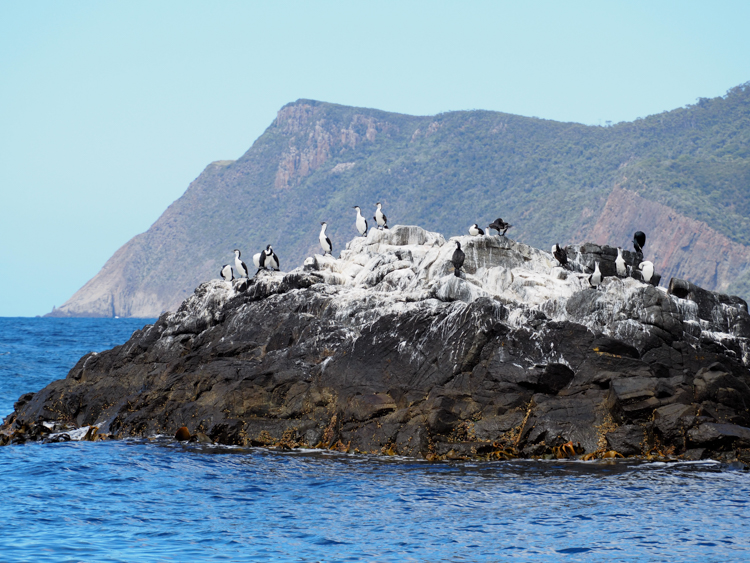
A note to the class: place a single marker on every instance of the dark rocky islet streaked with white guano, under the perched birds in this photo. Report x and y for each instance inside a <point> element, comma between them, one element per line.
<point>386,350</point>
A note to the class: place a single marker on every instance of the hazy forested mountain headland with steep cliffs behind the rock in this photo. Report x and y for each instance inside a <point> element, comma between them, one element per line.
<point>681,176</point>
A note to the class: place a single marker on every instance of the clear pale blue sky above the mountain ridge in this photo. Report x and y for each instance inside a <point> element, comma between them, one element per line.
<point>108,110</point>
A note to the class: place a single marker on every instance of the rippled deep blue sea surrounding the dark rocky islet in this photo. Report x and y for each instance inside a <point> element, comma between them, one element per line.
<point>160,501</point>
